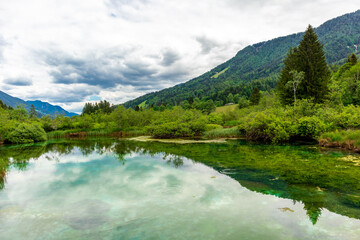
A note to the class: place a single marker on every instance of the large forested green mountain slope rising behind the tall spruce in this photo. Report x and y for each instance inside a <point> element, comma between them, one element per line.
<point>259,64</point>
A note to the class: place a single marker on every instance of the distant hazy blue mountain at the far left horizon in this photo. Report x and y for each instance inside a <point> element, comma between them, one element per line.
<point>42,108</point>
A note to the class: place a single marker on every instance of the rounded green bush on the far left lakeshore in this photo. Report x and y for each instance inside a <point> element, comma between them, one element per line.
<point>26,133</point>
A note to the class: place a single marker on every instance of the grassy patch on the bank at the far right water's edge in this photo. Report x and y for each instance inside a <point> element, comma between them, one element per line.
<point>343,136</point>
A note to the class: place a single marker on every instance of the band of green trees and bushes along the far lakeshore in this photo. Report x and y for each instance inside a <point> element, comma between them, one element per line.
<point>308,101</point>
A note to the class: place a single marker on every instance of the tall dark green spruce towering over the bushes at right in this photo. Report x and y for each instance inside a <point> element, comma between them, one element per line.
<point>308,57</point>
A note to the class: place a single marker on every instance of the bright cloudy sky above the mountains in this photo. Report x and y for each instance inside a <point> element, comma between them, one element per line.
<point>70,52</point>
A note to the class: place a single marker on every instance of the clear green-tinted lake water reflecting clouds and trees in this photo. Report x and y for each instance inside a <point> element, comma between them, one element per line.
<point>108,189</point>
